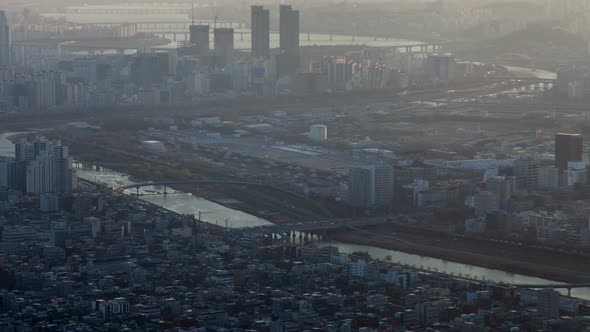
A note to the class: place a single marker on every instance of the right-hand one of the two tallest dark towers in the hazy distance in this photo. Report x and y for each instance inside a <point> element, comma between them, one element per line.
<point>288,60</point>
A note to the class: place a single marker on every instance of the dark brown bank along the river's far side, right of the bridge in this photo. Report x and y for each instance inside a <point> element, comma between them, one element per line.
<point>542,264</point>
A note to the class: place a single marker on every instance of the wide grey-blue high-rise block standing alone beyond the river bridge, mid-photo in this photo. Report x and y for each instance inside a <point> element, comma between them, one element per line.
<point>371,186</point>
